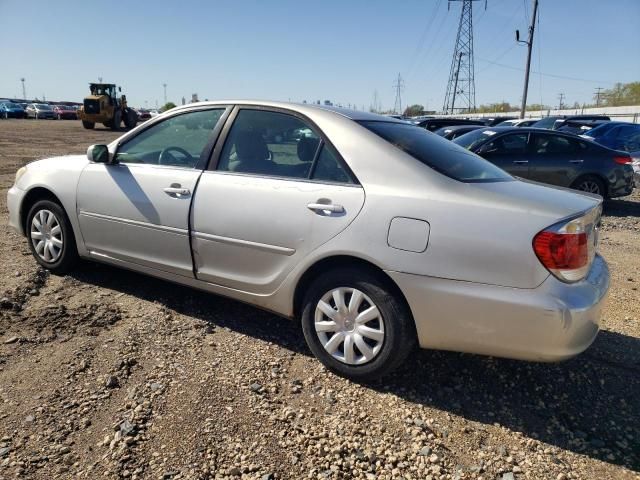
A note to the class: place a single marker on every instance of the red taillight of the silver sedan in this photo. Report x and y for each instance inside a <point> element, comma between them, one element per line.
<point>562,251</point>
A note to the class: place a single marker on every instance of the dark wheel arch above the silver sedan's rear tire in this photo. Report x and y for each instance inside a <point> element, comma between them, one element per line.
<point>340,262</point>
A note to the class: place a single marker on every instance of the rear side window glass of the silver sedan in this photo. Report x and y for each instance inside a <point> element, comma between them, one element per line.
<point>279,145</point>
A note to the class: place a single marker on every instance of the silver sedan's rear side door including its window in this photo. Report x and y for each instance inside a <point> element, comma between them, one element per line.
<point>275,191</point>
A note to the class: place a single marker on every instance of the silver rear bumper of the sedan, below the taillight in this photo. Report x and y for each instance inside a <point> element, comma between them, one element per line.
<point>552,322</point>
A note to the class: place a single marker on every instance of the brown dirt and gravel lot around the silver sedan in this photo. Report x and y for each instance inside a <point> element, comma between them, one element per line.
<point>109,374</point>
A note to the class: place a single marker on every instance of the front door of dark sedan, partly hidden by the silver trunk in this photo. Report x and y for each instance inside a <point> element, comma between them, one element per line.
<point>509,152</point>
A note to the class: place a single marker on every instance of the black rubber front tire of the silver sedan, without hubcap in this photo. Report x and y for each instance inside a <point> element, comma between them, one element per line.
<point>68,256</point>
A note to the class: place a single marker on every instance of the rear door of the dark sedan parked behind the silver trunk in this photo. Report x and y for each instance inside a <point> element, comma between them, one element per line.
<point>557,159</point>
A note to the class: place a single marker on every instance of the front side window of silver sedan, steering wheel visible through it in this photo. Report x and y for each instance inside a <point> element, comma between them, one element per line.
<point>178,141</point>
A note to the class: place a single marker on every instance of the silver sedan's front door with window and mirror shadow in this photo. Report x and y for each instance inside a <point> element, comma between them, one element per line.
<point>137,209</point>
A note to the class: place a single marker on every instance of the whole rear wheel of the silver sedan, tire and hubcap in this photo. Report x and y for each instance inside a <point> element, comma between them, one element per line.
<point>356,325</point>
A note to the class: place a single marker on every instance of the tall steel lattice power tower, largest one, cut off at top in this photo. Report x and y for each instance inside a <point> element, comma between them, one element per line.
<point>461,85</point>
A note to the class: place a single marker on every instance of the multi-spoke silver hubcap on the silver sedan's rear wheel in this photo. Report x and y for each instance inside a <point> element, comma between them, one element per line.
<point>349,326</point>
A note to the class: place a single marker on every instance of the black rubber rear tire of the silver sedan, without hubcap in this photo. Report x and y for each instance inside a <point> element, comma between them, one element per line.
<point>399,328</point>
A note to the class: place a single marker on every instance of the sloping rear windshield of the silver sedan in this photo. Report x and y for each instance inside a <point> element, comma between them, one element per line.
<point>441,155</point>
